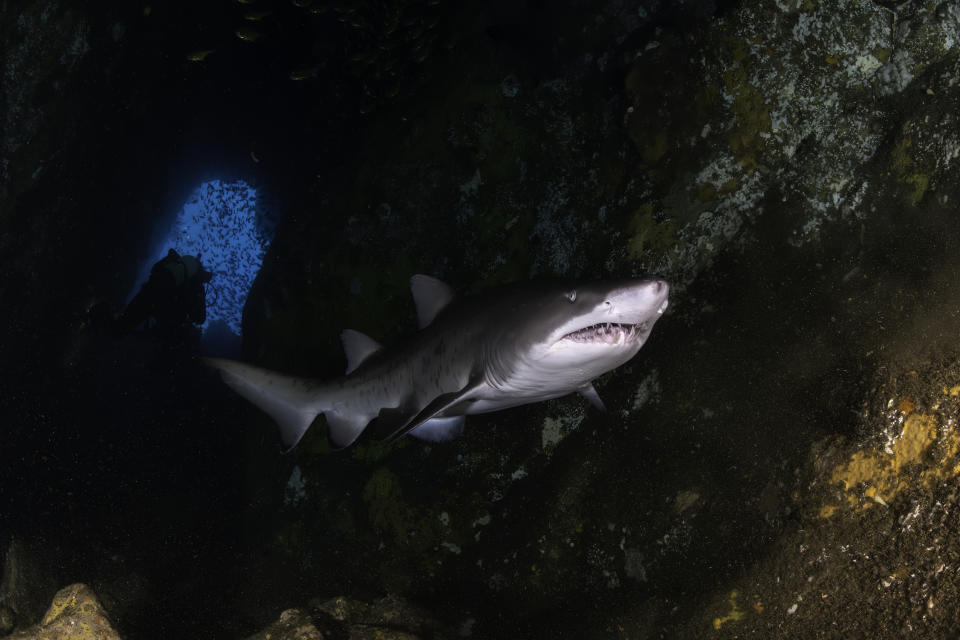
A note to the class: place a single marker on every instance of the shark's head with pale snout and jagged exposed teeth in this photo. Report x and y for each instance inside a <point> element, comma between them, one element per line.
<point>576,332</point>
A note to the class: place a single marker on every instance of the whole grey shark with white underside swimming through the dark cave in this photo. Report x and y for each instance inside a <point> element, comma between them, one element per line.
<point>508,346</point>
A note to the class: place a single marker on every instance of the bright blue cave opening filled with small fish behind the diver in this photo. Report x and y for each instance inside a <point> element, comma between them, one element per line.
<point>224,225</point>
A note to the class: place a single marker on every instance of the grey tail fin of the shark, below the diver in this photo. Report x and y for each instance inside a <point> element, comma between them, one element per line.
<point>292,402</point>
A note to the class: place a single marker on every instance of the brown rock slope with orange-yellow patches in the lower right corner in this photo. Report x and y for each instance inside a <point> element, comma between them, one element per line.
<point>876,528</point>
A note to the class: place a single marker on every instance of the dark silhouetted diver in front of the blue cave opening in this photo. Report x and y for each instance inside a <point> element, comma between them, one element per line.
<point>174,297</point>
